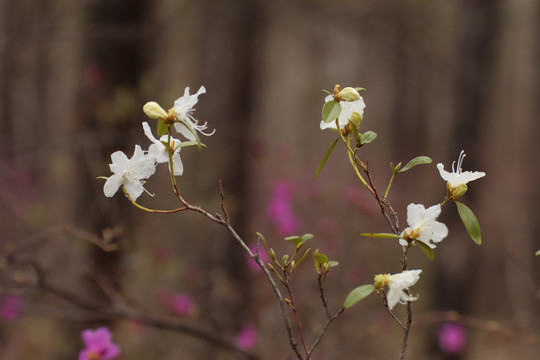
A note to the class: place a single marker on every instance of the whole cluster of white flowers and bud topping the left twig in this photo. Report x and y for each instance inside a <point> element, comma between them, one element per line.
<point>132,173</point>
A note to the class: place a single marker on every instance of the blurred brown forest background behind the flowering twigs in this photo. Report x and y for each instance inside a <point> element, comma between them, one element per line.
<point>441,76</point>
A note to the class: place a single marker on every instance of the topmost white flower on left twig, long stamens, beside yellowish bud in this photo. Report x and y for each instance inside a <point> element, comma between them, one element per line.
<point>183,108</point>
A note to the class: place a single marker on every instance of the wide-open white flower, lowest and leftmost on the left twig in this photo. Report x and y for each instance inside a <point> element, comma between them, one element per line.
<point>129,172</point>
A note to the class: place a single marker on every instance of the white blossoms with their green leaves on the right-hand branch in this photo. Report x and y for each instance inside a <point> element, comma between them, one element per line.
<point>344,110</point>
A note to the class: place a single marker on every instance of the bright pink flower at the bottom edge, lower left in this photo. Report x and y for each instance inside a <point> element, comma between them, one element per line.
<point>99,345</point>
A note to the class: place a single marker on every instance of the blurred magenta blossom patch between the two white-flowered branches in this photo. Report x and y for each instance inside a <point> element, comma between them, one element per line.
<point>280,211</point>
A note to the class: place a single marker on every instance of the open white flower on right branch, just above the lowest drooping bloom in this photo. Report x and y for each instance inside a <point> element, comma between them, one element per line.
<point>423,226</point>
